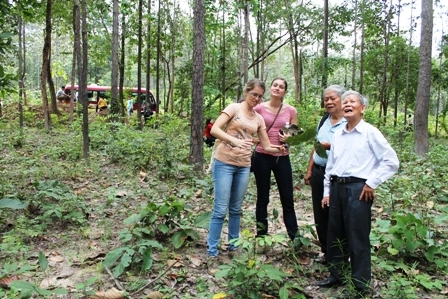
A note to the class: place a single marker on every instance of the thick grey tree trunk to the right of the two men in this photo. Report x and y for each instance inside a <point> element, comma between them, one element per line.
<point>424,80</point>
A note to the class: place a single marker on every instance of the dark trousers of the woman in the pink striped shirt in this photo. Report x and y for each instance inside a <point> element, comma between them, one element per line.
<point>281,167</point>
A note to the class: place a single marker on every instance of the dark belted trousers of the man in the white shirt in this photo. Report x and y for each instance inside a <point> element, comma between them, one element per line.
<point>348,233</point>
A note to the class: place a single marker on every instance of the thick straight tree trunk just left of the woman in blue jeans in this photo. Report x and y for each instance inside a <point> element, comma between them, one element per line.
<point>197,115</point>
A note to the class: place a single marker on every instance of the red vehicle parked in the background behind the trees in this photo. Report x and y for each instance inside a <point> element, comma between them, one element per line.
<point>94,92</point>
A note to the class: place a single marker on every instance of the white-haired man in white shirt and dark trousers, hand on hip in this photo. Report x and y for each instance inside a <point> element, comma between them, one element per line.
<point>360,159</point>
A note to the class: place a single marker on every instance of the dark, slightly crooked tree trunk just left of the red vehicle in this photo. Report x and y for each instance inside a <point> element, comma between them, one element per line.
<point>44,72</point>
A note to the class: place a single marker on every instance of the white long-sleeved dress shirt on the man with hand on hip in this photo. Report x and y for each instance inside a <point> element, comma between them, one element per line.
<point>362,153</point>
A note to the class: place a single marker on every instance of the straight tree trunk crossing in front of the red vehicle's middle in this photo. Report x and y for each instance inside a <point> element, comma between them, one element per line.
<point>114,106</point>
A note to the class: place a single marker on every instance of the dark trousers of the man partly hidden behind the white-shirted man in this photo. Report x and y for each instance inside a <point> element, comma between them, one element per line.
<point>320,215</point>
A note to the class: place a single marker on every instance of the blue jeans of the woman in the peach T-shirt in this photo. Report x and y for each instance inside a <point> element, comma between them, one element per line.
<point>230,183</point>
